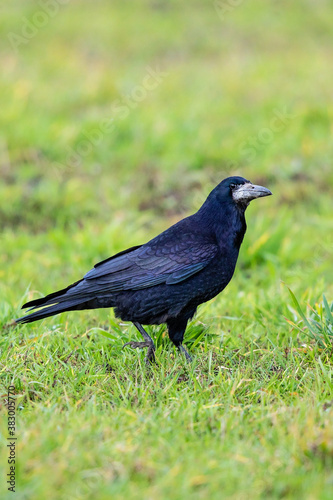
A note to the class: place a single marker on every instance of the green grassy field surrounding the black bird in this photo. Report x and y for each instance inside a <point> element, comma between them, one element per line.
<point>117,118</point>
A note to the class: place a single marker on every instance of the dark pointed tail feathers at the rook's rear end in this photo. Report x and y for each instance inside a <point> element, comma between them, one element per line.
<point>72,298</point>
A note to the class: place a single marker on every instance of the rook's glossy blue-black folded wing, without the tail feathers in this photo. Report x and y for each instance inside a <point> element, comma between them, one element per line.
<point>162,260</point>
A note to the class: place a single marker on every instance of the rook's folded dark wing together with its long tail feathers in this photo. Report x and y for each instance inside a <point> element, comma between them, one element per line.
<point>164,259</point>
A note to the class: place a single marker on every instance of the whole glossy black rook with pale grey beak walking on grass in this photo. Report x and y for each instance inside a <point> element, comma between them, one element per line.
<point>166,279</point>
